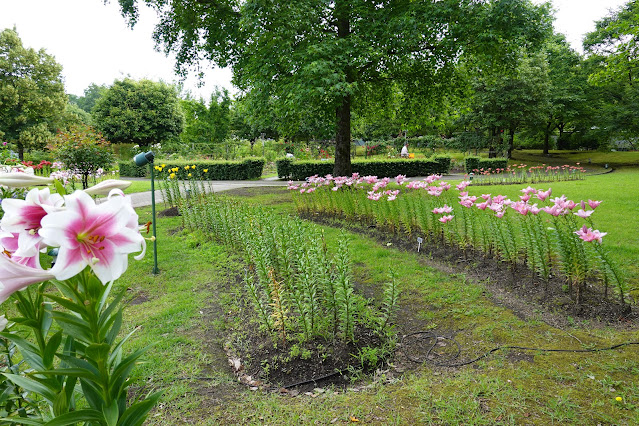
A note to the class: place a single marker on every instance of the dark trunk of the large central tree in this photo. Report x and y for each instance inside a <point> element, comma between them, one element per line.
<point>343,111</point>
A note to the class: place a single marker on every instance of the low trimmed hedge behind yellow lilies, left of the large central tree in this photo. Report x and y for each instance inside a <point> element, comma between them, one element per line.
<point>250,168</point>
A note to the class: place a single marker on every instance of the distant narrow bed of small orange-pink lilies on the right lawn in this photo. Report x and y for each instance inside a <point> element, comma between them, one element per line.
<point>523,174</point>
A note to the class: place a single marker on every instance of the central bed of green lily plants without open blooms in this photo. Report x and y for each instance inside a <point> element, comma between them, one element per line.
<point>300,289</point>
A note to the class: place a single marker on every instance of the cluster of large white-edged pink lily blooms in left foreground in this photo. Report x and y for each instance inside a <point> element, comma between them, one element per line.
<point>87,235</point>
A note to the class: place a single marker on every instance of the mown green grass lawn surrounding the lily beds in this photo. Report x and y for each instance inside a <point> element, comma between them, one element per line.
<point>186,309</point>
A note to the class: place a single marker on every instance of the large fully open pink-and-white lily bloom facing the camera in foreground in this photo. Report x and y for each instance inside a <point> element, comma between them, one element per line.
<point>100,237</point>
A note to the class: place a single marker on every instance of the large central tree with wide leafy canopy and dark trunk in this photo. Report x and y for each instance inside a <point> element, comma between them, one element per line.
<point>324,53</point>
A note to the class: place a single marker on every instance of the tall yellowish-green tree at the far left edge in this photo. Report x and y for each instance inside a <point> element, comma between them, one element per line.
<point>31,93</point>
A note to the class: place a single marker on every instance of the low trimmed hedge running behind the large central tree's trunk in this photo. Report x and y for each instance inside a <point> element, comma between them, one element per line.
<point>300,170</point>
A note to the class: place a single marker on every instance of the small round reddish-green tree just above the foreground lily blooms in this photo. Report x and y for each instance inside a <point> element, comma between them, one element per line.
<point>83,150</point>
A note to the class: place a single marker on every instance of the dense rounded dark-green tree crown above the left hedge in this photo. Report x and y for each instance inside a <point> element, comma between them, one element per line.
<point>142,112</point>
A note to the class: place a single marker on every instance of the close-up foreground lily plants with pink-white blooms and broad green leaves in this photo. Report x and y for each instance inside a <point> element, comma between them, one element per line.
<point>62,347</point>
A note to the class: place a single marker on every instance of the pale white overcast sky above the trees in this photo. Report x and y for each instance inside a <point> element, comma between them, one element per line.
<point>94,45</point>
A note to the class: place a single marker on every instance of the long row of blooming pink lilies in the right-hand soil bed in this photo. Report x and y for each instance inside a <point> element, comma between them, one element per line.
<point>551,236</point>
